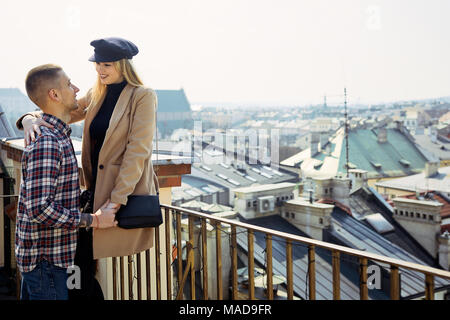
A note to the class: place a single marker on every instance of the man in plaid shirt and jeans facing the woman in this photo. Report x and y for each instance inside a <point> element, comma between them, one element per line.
<point>48,215</point>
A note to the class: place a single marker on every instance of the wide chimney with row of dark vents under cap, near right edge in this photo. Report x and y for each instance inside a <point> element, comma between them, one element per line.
<point>422,219</point>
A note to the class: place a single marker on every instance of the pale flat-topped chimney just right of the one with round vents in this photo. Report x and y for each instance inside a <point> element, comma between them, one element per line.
<point>311,218</point>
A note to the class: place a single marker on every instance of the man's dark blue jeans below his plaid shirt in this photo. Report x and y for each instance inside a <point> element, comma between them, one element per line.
<point>44,282</point>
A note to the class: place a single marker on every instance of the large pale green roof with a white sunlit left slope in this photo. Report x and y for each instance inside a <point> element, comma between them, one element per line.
<point>399,156</point>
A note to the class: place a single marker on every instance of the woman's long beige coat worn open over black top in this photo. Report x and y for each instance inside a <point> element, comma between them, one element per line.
<point>125,165</point>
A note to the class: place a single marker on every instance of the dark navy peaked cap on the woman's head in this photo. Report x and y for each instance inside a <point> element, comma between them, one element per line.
<point>112,49</point>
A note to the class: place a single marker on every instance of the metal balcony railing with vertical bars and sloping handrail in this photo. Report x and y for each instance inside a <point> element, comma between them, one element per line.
<point>202,220</point>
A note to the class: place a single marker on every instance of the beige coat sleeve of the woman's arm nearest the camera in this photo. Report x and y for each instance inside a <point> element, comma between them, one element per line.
<point>139,147</point>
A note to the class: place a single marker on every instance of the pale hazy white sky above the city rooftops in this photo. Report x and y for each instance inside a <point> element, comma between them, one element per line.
<point>243,51</point>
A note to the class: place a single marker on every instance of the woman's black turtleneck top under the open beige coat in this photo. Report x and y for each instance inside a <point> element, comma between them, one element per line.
<point>100,123</point>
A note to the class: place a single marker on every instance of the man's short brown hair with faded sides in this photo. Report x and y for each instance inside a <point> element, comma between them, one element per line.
<point>40,80</point>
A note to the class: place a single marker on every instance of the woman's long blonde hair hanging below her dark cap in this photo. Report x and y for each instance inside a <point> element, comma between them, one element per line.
<point>126,69</point>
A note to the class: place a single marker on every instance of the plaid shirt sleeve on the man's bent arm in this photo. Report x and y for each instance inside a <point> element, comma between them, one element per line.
<point>42,172</point>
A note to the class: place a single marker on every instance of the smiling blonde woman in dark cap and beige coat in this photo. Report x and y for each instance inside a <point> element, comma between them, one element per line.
<point>119,114</point>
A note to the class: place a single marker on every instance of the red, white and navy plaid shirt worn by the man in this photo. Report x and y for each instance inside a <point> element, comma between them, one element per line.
<point>48,212</point>
